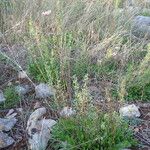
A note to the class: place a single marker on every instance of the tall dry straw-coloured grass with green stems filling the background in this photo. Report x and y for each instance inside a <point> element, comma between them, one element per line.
<point>76,38</point>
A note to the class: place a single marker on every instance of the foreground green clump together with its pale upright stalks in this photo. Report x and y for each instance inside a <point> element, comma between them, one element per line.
<point>89,128</point>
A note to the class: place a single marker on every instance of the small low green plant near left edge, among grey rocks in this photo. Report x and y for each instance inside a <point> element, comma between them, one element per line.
<point>12,98</point>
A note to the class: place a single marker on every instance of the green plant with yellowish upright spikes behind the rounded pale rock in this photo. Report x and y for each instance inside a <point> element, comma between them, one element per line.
<point>45,65</point>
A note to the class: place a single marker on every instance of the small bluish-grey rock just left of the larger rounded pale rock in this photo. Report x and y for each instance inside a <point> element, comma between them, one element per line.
<point>22,90</point>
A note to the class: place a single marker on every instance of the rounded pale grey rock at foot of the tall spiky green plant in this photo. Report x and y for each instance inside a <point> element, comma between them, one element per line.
<point>44,91</point>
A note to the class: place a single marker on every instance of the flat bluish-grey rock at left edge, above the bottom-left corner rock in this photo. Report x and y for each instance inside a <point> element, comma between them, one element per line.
<point>7,124</point>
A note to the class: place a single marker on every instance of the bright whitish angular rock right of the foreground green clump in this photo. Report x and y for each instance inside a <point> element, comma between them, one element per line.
<point>130,111</point>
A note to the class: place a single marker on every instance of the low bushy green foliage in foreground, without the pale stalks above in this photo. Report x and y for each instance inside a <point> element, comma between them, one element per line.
<point>92,132</point>
